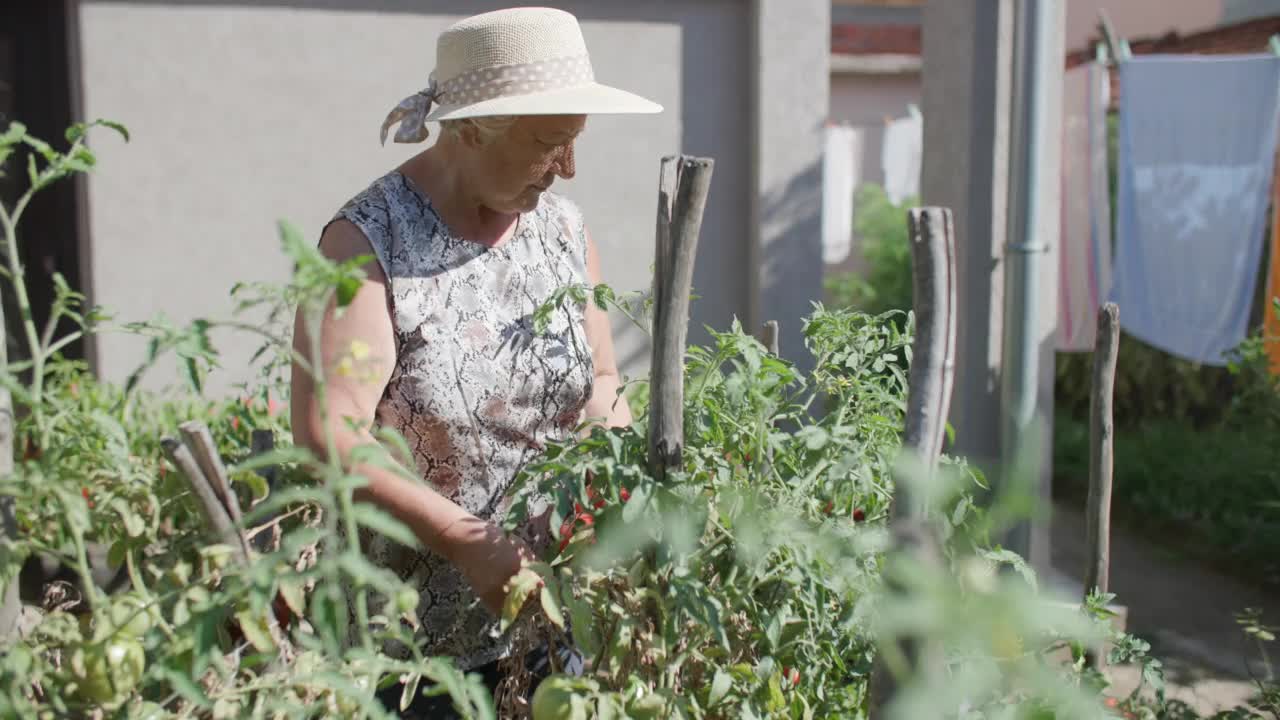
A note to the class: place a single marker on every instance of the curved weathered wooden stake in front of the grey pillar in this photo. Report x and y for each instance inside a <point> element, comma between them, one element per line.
<point>934,286</point>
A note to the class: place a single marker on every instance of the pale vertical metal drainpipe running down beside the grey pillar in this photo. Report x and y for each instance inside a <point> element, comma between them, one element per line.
<point>1028,250</point>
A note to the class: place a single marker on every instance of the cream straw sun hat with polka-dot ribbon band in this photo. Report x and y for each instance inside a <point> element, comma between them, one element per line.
<point>516,62</point>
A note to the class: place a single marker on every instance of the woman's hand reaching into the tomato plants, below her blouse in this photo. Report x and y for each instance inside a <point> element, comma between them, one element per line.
<point>488,559</point>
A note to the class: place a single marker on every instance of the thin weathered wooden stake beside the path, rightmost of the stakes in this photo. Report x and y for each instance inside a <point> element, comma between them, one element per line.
<point>1098,521</point>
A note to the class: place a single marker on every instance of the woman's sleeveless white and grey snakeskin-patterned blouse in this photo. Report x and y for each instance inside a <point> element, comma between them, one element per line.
<point>476,391</point>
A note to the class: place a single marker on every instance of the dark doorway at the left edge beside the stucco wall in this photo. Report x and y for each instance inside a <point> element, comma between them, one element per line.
<point>38,48</point>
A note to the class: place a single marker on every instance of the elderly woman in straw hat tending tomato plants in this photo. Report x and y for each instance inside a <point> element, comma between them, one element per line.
<point>468,243</point>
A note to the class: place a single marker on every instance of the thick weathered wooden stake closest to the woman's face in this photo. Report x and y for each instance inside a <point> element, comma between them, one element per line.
<point>682,198</point>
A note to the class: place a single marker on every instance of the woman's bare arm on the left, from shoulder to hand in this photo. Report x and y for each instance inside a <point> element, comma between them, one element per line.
<point>479,549</point>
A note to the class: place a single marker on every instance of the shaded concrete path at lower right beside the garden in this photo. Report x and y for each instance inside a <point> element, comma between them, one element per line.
<point>1185,609</point>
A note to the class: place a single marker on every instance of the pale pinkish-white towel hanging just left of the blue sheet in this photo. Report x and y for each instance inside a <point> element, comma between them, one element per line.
<point>1085,250</point>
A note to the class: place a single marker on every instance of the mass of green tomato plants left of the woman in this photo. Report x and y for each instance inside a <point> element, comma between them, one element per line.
<point>195,634</point>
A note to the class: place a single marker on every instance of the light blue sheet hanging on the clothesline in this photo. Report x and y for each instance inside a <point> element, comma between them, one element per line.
<point>1197,149</point>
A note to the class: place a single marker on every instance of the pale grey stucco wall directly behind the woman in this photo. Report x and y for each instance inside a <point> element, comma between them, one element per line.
<point>244,113</point>
